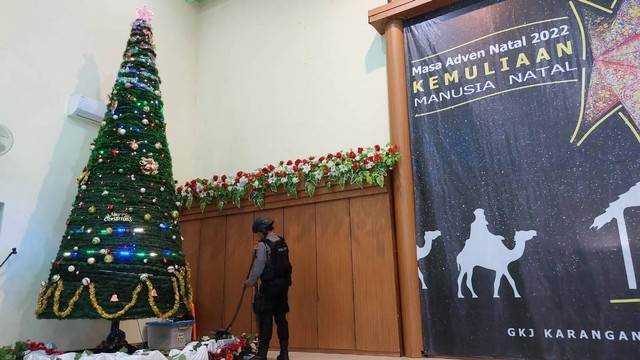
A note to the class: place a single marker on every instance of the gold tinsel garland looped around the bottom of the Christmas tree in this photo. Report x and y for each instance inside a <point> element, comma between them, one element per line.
<point>184,290</point>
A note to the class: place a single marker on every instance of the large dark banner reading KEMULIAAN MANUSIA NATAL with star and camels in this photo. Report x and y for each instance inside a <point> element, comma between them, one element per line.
<point>525,123</point>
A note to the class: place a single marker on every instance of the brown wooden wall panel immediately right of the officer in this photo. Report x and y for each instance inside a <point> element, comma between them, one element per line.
<point>300,233</point>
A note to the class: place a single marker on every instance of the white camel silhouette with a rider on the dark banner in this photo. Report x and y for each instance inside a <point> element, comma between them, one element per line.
<point>492,256</point>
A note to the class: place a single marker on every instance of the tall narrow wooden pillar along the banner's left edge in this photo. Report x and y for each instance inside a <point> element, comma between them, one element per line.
<point>403,192</point>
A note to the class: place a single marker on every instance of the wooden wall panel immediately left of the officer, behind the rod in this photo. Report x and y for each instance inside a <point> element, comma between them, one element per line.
<point>239,251</point>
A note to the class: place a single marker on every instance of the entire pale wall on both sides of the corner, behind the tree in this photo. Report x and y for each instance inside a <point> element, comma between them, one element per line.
<point>276,80</point>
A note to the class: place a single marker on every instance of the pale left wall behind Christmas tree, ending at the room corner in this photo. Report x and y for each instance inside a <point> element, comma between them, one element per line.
<point>48,51</point>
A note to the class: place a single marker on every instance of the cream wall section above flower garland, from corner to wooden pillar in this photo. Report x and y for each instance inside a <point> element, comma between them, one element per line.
<point>286,79</point>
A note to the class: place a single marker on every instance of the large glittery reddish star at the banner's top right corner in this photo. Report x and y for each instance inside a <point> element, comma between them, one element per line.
<point>614,85</point>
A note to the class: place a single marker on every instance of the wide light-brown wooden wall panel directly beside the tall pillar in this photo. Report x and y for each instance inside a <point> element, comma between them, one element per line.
<point>374,279</point>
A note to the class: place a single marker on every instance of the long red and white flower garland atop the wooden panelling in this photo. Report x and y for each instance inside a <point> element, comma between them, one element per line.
<point>358,166</point>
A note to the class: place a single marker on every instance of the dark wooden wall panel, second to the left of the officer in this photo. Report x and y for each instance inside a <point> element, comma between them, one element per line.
<point>210,279</point>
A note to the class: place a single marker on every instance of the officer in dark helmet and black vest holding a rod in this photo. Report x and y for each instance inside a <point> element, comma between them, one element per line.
<point>275,280</point>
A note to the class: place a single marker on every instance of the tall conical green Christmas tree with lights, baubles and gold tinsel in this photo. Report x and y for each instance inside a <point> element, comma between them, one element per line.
<point>121,254</point>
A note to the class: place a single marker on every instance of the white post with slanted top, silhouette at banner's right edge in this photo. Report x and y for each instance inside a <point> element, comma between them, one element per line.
<point>615,211</point>
